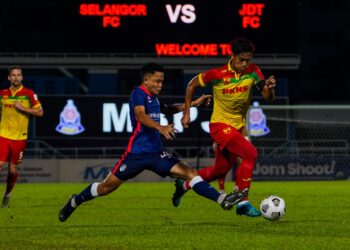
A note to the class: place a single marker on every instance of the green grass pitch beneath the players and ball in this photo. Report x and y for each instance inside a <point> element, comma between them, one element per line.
<point>140,216</point>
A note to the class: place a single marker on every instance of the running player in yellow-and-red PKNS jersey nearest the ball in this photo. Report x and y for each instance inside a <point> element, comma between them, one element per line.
<point>232,86</point>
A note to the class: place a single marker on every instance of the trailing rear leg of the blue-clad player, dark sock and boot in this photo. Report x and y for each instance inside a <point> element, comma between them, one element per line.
<point>110,184</point>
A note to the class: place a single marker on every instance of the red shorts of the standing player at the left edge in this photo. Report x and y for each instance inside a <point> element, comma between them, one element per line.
<point>12,150</point>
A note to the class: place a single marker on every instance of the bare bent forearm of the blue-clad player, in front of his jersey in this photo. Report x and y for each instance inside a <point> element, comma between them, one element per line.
<point>167,131</point>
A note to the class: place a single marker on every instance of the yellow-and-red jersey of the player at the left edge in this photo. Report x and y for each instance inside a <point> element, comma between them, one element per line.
<point>13,123</point>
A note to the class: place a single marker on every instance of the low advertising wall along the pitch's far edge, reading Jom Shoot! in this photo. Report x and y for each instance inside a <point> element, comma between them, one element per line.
<point>89,170</point>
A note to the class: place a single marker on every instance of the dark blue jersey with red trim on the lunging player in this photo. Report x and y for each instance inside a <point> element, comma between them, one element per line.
<point>144,139</point>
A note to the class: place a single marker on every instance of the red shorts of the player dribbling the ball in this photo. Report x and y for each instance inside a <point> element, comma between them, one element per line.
<point>222,133</point>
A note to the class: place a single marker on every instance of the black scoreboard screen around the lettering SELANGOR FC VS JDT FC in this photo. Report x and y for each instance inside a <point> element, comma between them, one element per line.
<point>56,26</point>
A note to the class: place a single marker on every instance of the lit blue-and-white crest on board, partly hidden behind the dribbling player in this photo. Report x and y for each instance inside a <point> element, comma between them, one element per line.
<point>257,121</point>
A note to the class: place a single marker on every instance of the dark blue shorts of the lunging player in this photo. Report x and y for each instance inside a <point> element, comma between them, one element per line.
<point>131,165</point>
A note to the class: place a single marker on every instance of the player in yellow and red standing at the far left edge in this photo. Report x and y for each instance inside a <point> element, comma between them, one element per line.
<point>17,104</point>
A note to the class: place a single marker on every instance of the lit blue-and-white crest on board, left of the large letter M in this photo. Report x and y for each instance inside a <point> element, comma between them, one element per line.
<point>70,123</point>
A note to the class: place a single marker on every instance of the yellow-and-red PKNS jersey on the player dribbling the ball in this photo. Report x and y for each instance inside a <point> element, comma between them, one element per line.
<point>232,92</point>
